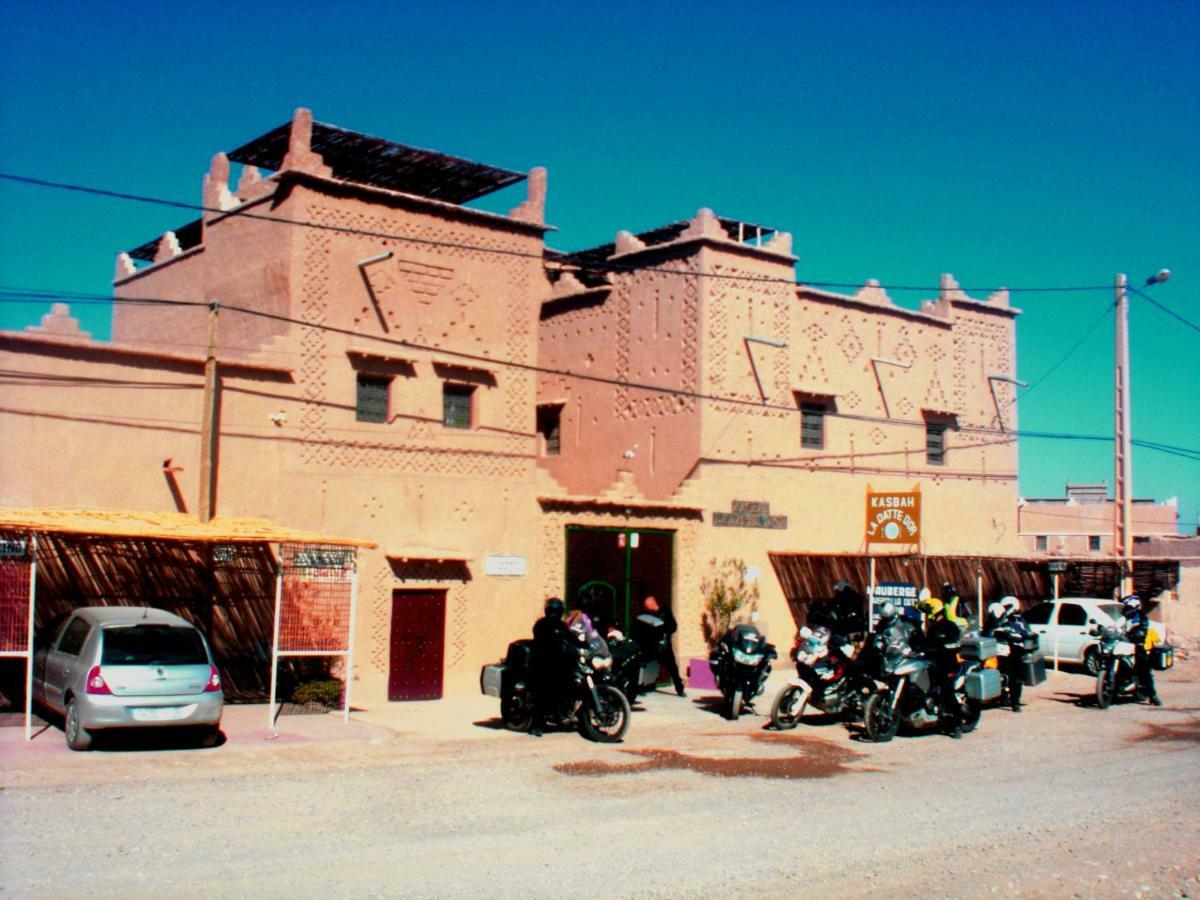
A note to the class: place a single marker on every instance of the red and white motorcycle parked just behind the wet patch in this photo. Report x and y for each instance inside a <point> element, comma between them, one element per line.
<point>827,676</point>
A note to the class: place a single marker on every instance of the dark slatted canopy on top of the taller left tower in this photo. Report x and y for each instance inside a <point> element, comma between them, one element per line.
<point>368,160</point>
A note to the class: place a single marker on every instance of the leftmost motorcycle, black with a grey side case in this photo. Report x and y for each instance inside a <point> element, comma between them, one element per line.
<point>590,704</point>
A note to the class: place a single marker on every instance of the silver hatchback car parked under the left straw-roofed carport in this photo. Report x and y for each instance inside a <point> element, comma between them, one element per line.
<point>123,667</point>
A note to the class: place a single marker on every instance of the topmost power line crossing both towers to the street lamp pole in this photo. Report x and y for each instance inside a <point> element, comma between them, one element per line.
<point>608,266</point>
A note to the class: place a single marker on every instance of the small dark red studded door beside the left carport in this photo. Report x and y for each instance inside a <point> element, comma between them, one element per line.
<point>418,645</point>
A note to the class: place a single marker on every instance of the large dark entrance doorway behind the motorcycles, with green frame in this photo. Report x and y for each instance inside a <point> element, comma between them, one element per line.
<point>619,568</point>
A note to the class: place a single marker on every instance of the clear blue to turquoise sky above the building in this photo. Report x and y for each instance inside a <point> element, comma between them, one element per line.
<point>1019,145</point>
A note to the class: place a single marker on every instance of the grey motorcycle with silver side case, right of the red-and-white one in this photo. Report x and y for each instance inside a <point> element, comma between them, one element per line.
<point>913,695</point>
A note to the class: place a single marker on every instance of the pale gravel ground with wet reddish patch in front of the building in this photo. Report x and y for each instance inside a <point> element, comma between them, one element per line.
<point>1060,801</point>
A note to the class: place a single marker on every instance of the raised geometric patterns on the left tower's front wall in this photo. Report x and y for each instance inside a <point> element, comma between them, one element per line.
<point>452,320</point>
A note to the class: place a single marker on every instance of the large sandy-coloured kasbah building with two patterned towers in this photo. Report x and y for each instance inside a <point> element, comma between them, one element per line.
<point>506,423</point>
